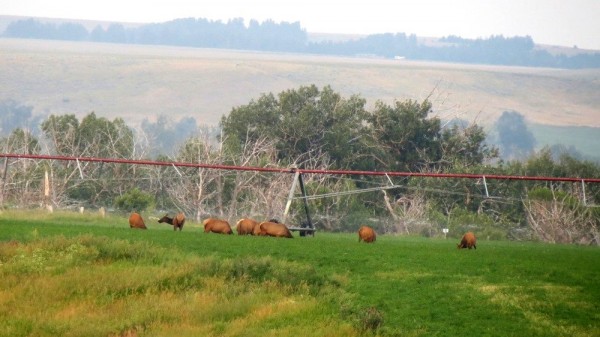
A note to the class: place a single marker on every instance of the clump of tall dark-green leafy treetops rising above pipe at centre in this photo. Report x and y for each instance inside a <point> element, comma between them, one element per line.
<point>311,123</point>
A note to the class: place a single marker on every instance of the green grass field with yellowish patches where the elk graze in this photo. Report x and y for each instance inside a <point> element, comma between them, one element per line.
<point>82,275</point>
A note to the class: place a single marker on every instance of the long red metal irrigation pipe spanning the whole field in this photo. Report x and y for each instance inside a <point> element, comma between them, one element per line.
<point>292,170</point>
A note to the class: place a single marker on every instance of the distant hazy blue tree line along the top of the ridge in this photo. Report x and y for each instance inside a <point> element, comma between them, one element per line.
<point>291,37</point>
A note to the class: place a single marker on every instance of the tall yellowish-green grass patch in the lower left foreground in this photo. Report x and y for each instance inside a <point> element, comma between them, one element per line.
<point>96,286</point>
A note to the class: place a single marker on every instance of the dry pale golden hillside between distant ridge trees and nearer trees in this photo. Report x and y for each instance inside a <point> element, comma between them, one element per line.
<point>137,82</point>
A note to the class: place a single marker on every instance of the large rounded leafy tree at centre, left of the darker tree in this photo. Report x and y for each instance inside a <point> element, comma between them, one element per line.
<point>304,123</point>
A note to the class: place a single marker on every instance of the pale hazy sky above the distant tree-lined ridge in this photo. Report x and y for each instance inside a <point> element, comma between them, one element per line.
<point>557,22</point>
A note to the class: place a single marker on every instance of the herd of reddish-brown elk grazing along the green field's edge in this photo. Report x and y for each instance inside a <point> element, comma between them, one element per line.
<point>267,228</point>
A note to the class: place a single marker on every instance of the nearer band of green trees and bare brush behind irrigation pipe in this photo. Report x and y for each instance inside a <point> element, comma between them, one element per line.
<point>311,128</point>
